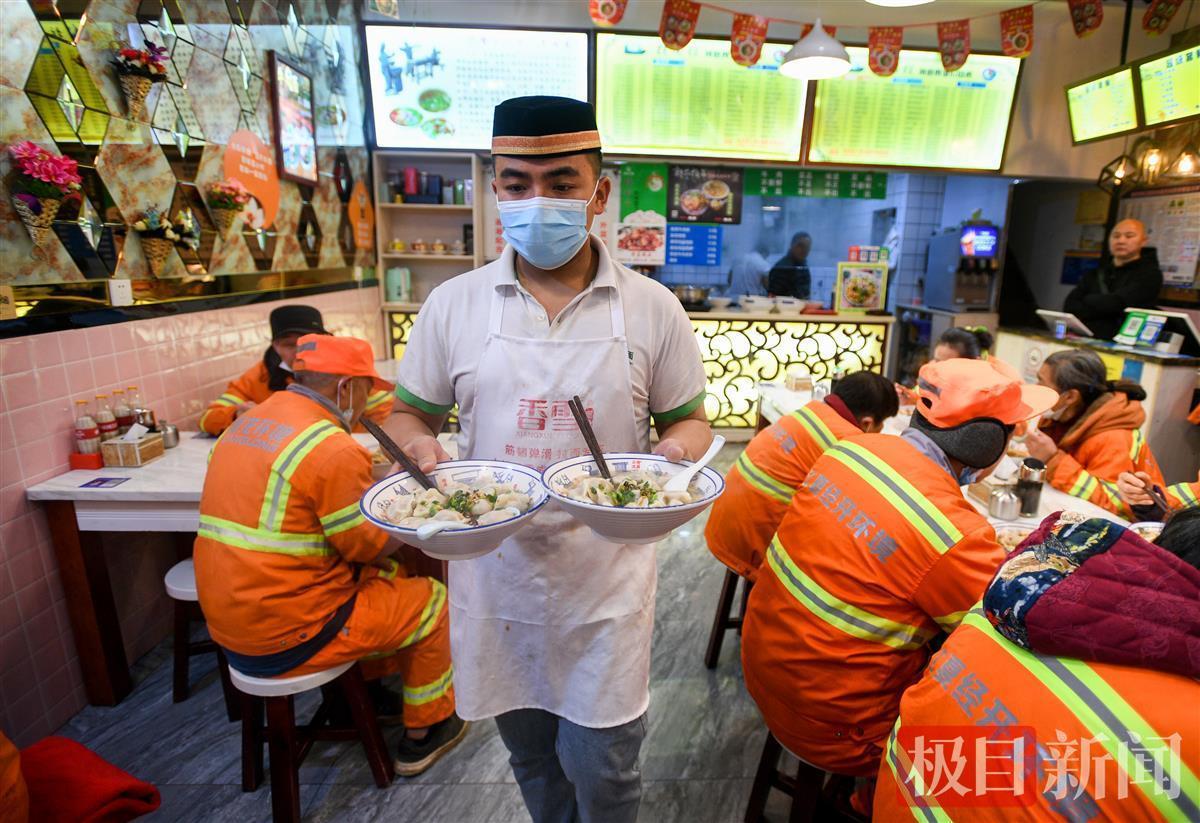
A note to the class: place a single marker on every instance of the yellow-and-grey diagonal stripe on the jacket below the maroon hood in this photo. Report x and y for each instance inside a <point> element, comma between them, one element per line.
<point>1114,724</point>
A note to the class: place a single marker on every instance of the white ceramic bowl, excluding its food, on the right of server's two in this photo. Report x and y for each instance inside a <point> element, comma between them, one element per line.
<point>629,526</point>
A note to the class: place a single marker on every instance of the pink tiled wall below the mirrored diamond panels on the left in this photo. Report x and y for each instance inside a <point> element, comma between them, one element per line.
<point>181,364</point>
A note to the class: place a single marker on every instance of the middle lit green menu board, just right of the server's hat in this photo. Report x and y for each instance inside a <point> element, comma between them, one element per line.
<point>695,103</point>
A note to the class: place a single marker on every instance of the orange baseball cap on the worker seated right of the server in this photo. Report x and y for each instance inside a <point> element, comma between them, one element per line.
<point>955,392</point>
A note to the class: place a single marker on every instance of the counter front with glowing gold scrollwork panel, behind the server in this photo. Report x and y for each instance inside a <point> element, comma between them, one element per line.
<point>741,350</point>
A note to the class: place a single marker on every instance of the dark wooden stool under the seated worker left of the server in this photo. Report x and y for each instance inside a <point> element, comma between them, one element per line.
<point>290,744</point>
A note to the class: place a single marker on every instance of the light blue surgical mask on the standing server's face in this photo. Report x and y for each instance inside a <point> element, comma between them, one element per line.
<point>547,231</point>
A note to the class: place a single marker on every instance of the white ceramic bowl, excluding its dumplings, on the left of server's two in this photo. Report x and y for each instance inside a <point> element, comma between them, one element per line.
<point>457,544</point>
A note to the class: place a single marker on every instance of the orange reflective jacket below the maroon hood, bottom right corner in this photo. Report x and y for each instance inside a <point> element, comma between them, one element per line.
<point>979,678</point>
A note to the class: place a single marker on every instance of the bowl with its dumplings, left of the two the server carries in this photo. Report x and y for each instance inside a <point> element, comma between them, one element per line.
<point>482,502</point>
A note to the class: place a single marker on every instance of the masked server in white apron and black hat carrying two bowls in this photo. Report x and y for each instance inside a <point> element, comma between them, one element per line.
<point>551,633</point>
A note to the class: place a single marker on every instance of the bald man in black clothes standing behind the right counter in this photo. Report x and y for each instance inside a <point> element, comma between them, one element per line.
<point>1131,278</point>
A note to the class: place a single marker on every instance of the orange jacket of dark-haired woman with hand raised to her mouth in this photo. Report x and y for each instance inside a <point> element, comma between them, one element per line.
<point>1097,448</point>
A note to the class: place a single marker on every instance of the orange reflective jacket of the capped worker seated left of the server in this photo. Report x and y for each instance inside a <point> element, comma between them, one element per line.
<point>280,526</point>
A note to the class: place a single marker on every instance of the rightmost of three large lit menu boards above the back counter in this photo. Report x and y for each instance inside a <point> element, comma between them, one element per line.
<point>920,117</point>
